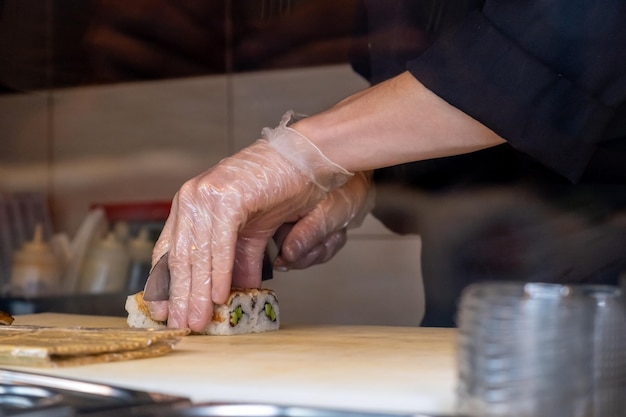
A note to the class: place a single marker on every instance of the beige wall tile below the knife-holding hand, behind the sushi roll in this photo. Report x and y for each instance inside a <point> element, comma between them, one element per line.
<point>372,280</point>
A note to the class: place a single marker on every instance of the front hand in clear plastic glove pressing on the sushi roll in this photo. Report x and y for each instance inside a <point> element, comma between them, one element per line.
<point>221,220</point>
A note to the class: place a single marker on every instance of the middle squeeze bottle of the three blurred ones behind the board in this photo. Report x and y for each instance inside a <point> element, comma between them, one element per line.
<point>105,268</point>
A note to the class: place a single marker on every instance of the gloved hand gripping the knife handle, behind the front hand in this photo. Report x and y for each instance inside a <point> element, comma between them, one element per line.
<point>321,233</point>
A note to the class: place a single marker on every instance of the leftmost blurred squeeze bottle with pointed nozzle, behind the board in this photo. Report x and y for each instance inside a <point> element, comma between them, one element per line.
<point>35,271</point>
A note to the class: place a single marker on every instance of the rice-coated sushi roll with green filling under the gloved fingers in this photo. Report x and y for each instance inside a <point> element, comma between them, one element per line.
<point>246,311</point>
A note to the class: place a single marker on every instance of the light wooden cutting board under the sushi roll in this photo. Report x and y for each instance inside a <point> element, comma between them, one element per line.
<point>367,368</point>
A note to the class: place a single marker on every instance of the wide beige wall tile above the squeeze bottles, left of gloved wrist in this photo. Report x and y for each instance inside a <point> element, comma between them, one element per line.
<point>134,142</point>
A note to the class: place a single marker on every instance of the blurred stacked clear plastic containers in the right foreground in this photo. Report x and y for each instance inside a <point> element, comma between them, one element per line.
<point>541,350</point>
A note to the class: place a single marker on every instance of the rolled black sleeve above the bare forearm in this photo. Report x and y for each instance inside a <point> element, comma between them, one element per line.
<point>545,75</point>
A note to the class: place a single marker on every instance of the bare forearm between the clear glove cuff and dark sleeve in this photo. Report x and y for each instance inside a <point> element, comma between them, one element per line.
<point>394,122</point>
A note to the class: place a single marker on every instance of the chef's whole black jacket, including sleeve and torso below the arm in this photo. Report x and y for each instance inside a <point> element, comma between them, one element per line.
<point>549,76</point>
